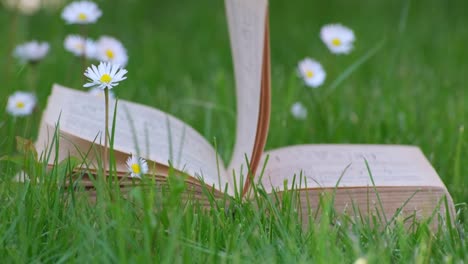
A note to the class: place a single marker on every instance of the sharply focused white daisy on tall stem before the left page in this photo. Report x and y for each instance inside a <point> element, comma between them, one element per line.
<point>106,75</point>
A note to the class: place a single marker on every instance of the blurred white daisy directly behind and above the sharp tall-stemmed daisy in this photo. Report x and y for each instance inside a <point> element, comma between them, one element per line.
<point>112,50</point>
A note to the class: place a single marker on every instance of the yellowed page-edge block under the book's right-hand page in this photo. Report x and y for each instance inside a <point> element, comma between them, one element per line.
<point>411,203</point>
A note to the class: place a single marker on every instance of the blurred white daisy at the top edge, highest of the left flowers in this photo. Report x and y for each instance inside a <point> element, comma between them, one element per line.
<point>81,12</point>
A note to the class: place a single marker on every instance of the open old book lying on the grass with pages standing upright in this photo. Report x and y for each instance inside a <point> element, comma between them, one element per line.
<point>400,174</point>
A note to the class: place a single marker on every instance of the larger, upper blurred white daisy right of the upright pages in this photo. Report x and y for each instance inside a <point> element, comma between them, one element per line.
<point>338,38</point>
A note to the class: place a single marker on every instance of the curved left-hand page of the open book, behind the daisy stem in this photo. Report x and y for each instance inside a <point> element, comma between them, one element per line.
<point>155,135</point>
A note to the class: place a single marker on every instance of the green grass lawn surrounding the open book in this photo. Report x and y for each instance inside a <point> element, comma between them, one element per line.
<point>412,91</point>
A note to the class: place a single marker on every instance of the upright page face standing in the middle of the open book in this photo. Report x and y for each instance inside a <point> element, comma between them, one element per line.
<point>246,20</point>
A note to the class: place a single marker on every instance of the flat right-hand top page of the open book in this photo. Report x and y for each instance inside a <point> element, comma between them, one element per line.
<point>322,165</point>
